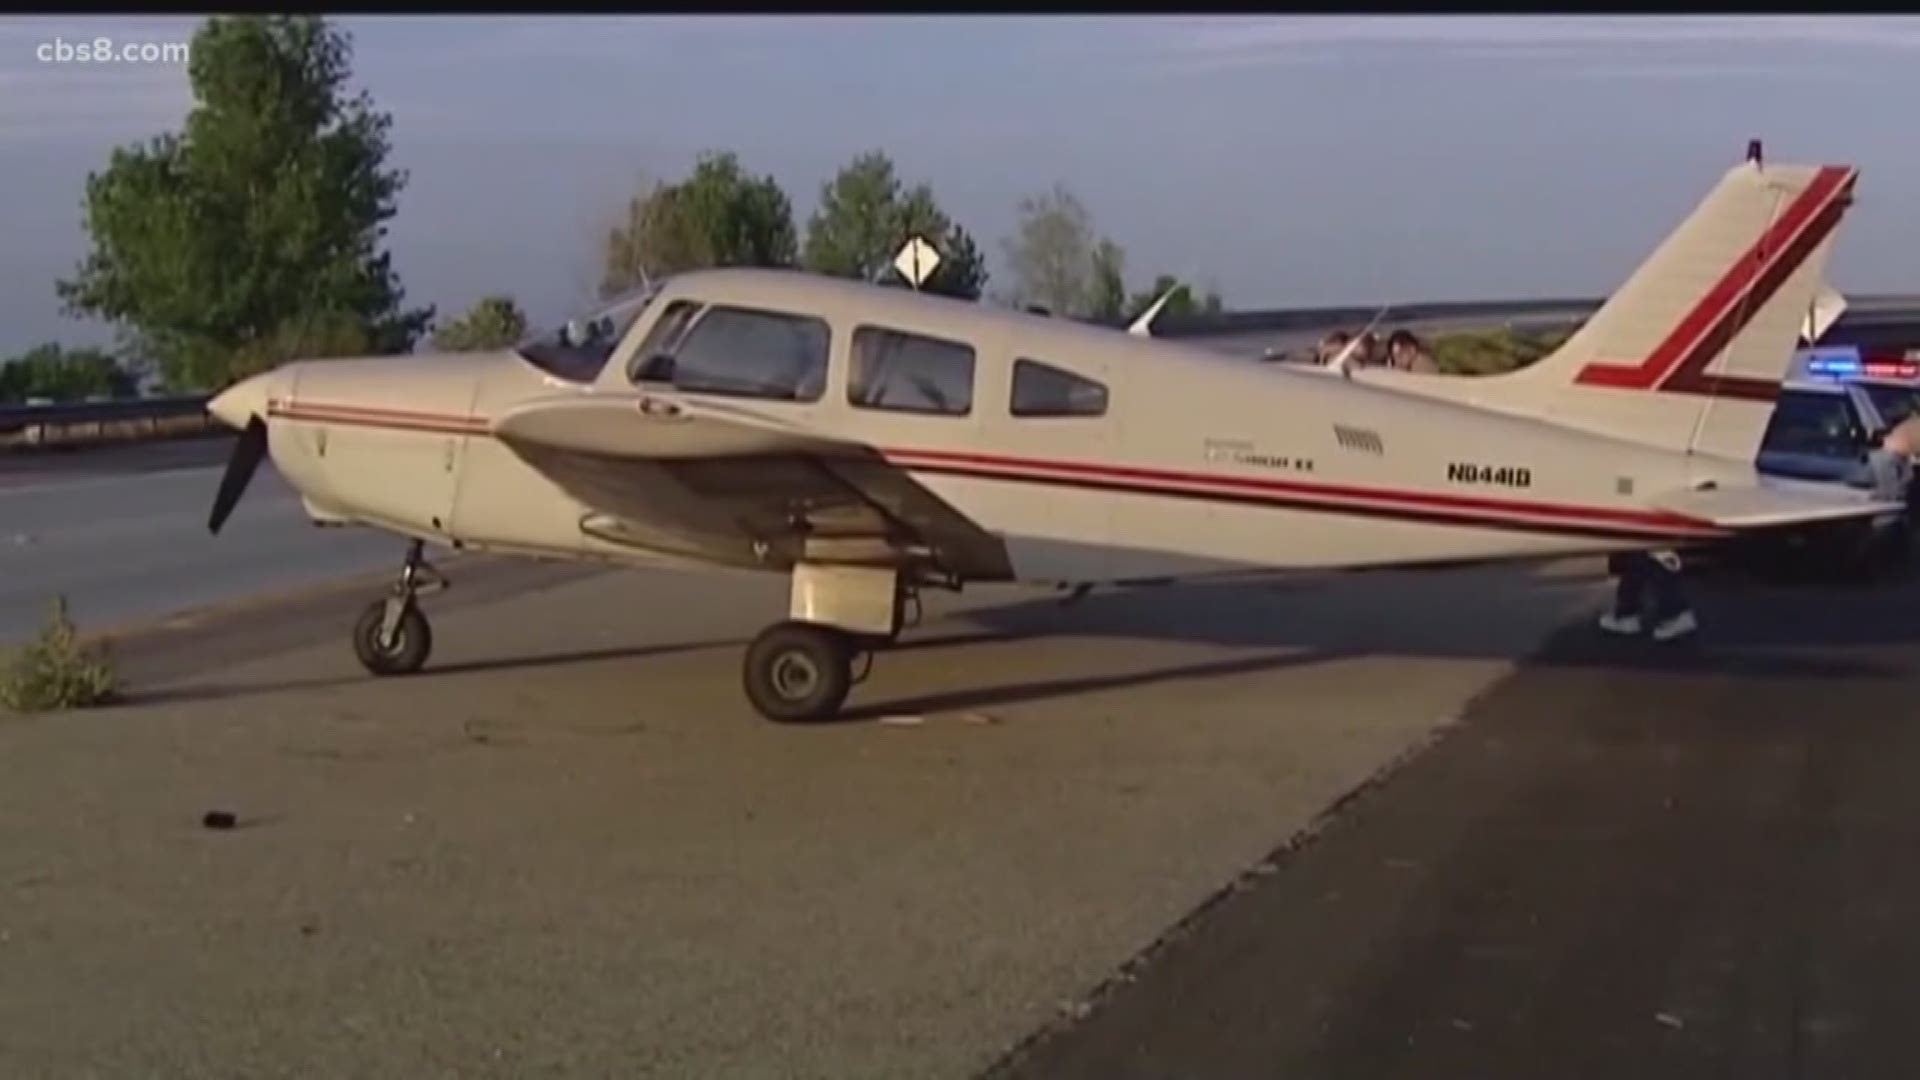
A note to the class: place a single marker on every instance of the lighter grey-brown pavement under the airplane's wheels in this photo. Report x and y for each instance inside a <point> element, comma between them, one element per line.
<point>569,848</point>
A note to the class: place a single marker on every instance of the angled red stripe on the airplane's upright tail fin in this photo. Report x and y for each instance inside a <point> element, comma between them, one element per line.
<point>1679,364</point>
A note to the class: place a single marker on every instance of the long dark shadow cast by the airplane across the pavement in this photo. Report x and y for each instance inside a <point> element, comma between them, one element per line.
<point>1750,631</point>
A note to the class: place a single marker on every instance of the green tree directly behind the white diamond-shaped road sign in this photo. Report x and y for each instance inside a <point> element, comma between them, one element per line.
<point>865,218</point>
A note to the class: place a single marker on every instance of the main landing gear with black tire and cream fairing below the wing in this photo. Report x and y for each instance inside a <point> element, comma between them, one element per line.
<point>804,668</point>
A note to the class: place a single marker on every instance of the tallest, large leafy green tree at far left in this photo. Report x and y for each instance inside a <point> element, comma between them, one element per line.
<point>252,237</point>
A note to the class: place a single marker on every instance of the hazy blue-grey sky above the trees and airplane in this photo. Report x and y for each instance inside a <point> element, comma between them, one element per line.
<point>1282,160</point>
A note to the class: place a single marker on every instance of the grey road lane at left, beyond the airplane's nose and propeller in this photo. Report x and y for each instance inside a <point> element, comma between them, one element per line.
<point>124,535</point>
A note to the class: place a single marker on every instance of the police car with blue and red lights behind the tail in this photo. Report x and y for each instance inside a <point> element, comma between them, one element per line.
<point>1827,428</point>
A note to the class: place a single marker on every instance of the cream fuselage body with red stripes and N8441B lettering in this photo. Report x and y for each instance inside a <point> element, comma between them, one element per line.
<point>1197,466</point>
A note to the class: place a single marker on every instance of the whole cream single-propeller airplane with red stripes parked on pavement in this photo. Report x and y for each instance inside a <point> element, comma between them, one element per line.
<point>875,443</point>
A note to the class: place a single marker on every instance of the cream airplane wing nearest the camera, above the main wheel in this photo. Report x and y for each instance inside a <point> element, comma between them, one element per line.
<point>731,485</point>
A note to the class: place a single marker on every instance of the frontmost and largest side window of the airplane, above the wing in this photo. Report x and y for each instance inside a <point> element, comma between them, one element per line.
<point>754,355</point>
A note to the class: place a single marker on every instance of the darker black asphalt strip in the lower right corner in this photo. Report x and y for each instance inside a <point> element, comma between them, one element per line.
<point>1623,864</point>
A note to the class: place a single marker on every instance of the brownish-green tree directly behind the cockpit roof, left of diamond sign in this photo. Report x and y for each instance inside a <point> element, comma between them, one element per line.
<point>715,218</point>
